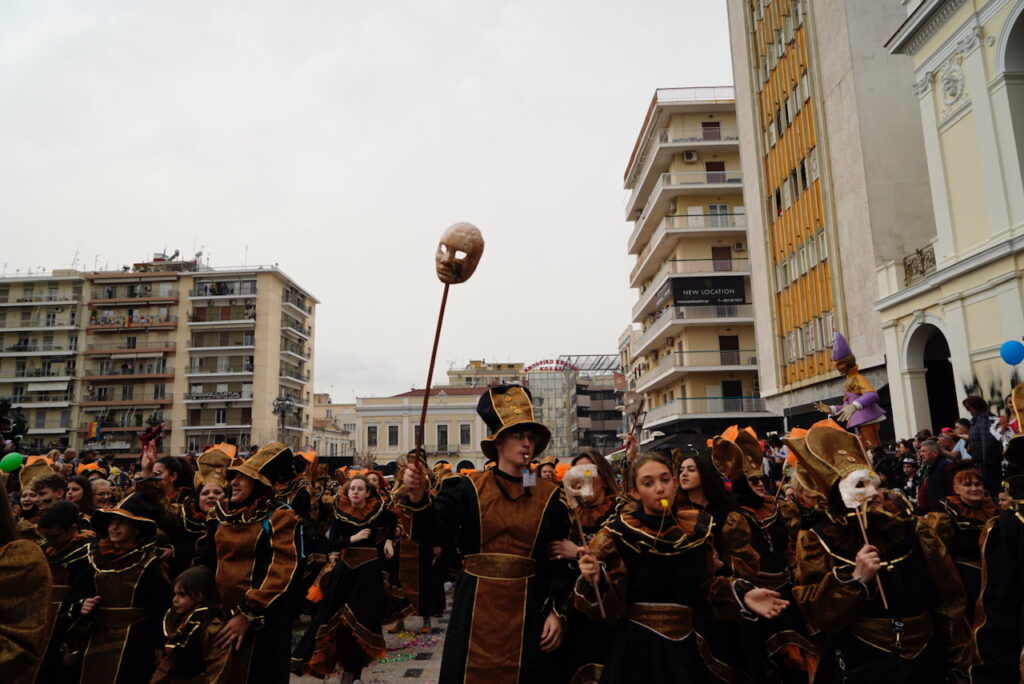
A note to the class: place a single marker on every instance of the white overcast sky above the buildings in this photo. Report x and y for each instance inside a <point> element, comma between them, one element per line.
<point>338,140</point>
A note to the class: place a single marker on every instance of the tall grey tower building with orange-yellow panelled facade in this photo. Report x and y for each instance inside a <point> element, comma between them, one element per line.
<point>836,186</point>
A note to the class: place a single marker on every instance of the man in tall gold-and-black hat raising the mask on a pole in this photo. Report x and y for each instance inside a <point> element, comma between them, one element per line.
<point>509,605</point>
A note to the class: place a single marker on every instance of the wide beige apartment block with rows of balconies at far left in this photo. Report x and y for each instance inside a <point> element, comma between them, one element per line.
<point>214,355</point>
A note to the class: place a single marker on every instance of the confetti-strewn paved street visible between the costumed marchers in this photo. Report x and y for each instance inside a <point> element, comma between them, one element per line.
<point>412,657</point>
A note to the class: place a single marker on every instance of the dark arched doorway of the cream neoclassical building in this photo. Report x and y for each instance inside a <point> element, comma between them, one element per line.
<point>933,384</point>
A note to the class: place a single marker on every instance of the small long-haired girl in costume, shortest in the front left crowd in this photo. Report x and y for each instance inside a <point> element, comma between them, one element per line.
<point>192,654</point>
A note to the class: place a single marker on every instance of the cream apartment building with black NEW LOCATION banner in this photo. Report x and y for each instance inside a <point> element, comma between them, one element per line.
<point>694,357</point>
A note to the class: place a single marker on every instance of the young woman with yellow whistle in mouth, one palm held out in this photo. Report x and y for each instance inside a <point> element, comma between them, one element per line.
<point>655,568</point>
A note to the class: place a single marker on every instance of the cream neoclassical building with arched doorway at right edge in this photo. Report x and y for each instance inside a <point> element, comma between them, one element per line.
<point>951,301</point>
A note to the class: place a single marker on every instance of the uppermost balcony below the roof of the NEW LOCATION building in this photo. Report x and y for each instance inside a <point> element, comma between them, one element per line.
<point>664,144</point>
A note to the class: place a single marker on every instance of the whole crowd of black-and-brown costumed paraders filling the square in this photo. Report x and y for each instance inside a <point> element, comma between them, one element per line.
<point>802,558</point>
